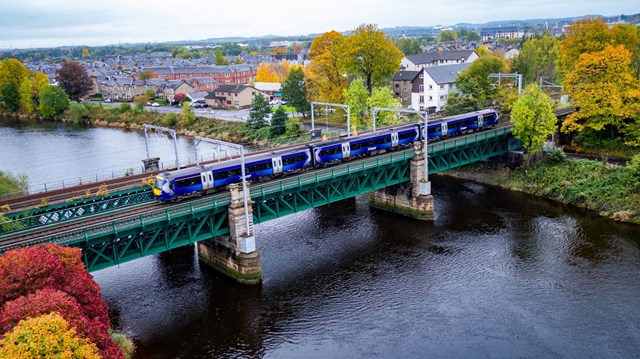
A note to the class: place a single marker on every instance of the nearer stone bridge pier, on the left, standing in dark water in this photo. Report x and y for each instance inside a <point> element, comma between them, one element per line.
<point>235,255</point>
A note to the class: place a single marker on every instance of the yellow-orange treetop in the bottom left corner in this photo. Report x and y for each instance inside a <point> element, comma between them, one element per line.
<point>47,336</point>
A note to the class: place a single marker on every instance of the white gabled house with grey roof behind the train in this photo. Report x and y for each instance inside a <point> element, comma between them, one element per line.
<point>438,82</point>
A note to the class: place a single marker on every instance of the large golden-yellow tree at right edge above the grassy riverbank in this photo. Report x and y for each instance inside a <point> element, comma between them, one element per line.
<point>605,91</point>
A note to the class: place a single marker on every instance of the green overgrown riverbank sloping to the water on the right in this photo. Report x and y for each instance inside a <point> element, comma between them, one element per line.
<point>611,191</point>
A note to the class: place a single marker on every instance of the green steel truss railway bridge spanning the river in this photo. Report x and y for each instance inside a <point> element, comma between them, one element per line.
<point>148,230</point>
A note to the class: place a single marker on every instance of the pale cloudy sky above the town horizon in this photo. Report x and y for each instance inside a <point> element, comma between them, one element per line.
<point>50,23</point>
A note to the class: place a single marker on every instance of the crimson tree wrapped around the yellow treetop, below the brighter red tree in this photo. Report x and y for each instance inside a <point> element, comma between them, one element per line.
<point>46,301</point>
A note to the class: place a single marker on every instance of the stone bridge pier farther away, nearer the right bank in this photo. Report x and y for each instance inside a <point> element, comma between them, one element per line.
<point>412,199</point>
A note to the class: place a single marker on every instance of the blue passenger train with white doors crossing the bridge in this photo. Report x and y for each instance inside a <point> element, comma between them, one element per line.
<point>209,178</point>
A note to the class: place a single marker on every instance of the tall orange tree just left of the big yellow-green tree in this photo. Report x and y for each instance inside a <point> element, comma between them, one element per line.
<point>326,78</point>
